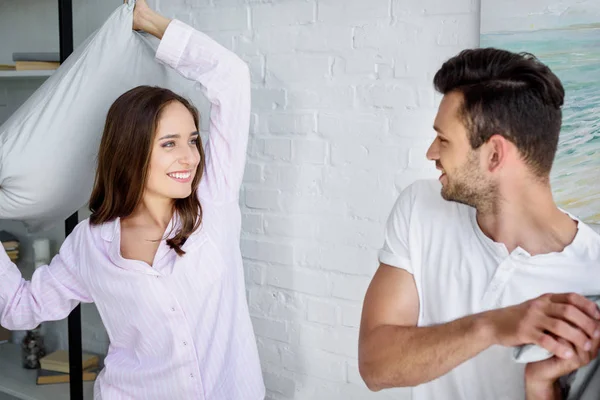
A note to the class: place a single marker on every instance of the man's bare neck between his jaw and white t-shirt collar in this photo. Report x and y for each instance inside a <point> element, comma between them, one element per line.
<point>528,218</point>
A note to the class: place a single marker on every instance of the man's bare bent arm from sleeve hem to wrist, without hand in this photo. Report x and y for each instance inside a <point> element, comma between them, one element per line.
<point>394,352</point>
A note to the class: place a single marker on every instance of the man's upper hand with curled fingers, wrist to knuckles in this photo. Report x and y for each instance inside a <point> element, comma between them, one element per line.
<point>547,319</point>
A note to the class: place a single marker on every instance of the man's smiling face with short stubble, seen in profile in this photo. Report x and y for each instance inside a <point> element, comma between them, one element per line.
<point>463,179</point>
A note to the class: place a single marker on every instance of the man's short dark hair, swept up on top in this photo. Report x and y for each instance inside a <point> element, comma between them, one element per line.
<point>513,95</point>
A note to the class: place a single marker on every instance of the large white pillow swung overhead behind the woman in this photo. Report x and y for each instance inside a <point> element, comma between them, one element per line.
<point>48,147</point>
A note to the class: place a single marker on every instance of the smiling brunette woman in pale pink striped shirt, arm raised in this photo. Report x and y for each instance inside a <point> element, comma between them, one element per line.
<point>160,253</point>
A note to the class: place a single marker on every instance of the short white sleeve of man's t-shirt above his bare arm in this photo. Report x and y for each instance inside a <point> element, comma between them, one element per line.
<point>396,250</point>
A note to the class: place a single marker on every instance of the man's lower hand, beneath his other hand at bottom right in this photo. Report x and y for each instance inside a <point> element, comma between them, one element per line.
<point>541,377</point>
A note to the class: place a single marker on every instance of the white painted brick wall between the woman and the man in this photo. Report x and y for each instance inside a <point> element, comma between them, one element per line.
<point>343,106</point>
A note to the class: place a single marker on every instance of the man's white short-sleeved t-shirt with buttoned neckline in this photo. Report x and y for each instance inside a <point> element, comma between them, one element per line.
<point>459,271</point>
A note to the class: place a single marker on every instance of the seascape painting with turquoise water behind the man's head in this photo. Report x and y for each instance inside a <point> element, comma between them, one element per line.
<point>565,35</point>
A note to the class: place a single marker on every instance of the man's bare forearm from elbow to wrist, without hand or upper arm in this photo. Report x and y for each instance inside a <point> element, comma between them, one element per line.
<point>398,356</point>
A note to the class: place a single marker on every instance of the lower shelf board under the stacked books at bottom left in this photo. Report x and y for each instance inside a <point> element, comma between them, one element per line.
<point>20,382</point>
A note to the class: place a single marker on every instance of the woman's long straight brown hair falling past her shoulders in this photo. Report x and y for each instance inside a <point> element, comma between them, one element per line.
<point>124,157</point>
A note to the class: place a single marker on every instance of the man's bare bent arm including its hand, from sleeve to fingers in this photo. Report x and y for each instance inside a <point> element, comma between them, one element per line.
<point>394,352</point>
